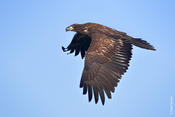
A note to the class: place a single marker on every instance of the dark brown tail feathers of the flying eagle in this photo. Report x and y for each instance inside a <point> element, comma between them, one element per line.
<point>142,43</point>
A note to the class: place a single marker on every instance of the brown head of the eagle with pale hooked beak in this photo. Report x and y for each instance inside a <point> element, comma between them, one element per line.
<point>80,28</point>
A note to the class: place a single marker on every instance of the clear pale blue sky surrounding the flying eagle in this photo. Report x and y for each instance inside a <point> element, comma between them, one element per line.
<point>38,80</point>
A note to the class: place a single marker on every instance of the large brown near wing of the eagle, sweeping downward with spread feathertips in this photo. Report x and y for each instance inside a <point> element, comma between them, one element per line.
<point>105,61</point>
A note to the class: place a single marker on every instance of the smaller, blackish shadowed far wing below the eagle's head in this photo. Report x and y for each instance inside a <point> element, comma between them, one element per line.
<point>79,43</point>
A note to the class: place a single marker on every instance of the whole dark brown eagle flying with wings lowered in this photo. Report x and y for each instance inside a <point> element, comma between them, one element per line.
<point>107,53</point>
